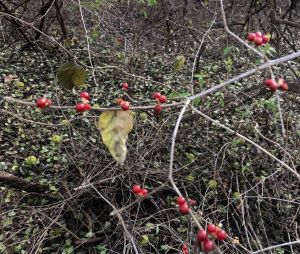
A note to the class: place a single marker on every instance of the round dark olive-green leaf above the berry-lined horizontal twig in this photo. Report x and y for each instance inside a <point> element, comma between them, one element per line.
<point>71,75</point>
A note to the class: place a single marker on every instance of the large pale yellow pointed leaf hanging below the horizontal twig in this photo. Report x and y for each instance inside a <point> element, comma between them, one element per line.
<point>114,128</point>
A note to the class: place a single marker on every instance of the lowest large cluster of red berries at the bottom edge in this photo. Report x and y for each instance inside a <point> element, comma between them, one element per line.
<point>212,231</point>
